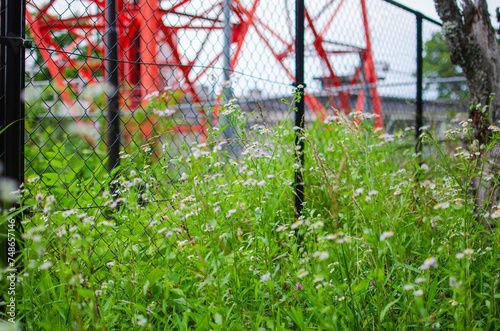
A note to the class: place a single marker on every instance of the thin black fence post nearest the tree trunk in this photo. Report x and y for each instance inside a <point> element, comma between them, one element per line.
<point>419,101</point>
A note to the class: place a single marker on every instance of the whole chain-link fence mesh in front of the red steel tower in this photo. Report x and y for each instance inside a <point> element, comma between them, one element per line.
<point>151,73</point>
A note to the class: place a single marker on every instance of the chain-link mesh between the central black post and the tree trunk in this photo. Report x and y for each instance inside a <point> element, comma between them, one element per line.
<point>372,51</point>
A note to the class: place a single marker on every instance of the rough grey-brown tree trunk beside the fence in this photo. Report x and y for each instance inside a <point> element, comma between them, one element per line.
<point>474,47</point>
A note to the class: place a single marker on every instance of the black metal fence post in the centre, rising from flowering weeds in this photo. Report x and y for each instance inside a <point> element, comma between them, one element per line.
<point>299,115</point>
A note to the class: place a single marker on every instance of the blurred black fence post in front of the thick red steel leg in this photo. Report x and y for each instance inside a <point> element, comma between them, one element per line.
<point>113,109</point>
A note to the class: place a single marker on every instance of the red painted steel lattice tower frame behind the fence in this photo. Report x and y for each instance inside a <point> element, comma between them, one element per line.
<point>143,33</point>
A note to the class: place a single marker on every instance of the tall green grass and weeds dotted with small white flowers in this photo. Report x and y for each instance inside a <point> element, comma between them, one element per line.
<point>220,248</point>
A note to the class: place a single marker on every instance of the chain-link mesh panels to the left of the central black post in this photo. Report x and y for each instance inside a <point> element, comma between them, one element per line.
<point>171,80</point>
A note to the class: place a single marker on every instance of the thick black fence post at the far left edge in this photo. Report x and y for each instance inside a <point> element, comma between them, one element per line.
<point>12,40</point>
